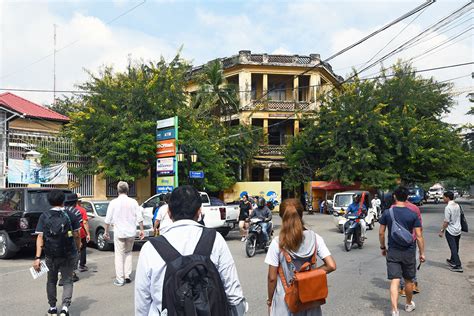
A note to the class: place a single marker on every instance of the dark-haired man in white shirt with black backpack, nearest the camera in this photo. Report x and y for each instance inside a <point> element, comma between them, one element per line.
<point>185,234</point>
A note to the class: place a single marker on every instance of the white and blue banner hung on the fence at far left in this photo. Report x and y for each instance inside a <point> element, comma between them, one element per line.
<point>29,172</point>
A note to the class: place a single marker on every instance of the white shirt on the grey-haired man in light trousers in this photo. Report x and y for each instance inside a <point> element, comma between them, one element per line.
<point>124,212</point>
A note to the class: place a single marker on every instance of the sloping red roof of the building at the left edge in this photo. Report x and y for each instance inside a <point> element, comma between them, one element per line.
<point>24,107</point>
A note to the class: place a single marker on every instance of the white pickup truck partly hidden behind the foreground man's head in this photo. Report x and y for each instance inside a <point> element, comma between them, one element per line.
<point>216,213</point>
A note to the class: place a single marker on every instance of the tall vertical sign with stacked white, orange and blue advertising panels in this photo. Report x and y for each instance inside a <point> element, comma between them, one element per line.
<point>166,162</point>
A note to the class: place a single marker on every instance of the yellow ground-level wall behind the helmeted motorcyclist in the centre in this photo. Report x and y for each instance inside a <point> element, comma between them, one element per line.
<point>260,188</point>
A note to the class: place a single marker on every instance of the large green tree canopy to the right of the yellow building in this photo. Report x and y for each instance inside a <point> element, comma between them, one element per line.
<point>380,132</point>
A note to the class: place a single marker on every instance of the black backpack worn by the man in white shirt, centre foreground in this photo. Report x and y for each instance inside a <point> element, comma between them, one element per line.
<point>192,284</point>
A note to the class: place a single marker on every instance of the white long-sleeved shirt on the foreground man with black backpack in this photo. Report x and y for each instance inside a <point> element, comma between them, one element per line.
<point>151,268</point>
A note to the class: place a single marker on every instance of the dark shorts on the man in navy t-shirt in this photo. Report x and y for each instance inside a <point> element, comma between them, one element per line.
<point>401,263</point>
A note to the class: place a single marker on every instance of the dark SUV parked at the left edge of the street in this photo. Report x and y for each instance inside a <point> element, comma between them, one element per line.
<point>20,209</point>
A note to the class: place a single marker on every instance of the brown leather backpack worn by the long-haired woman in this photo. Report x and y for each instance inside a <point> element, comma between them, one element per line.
<point>308,288</point>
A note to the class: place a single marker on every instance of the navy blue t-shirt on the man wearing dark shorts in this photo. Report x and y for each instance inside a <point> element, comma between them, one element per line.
<point>406,218</point>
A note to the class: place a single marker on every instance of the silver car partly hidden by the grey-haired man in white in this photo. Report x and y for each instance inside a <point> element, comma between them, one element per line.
<point>96,212</point>
